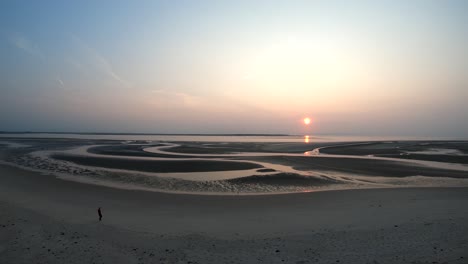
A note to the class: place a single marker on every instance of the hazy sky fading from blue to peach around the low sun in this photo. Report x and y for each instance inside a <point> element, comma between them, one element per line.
<point>370,68</point>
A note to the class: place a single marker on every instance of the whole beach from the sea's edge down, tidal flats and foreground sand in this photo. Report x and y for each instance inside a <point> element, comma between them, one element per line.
<point>195,202</point>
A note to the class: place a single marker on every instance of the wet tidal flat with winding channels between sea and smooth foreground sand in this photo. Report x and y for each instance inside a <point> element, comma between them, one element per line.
<point>224,168</point>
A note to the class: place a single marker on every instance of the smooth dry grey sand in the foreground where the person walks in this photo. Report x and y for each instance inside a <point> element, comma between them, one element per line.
<point>47,220</point>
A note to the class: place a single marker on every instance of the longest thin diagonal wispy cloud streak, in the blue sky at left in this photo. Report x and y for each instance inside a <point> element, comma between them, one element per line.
<point>100,62</point>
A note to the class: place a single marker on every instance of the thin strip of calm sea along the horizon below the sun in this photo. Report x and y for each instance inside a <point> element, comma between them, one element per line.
<point>221,138</point>
